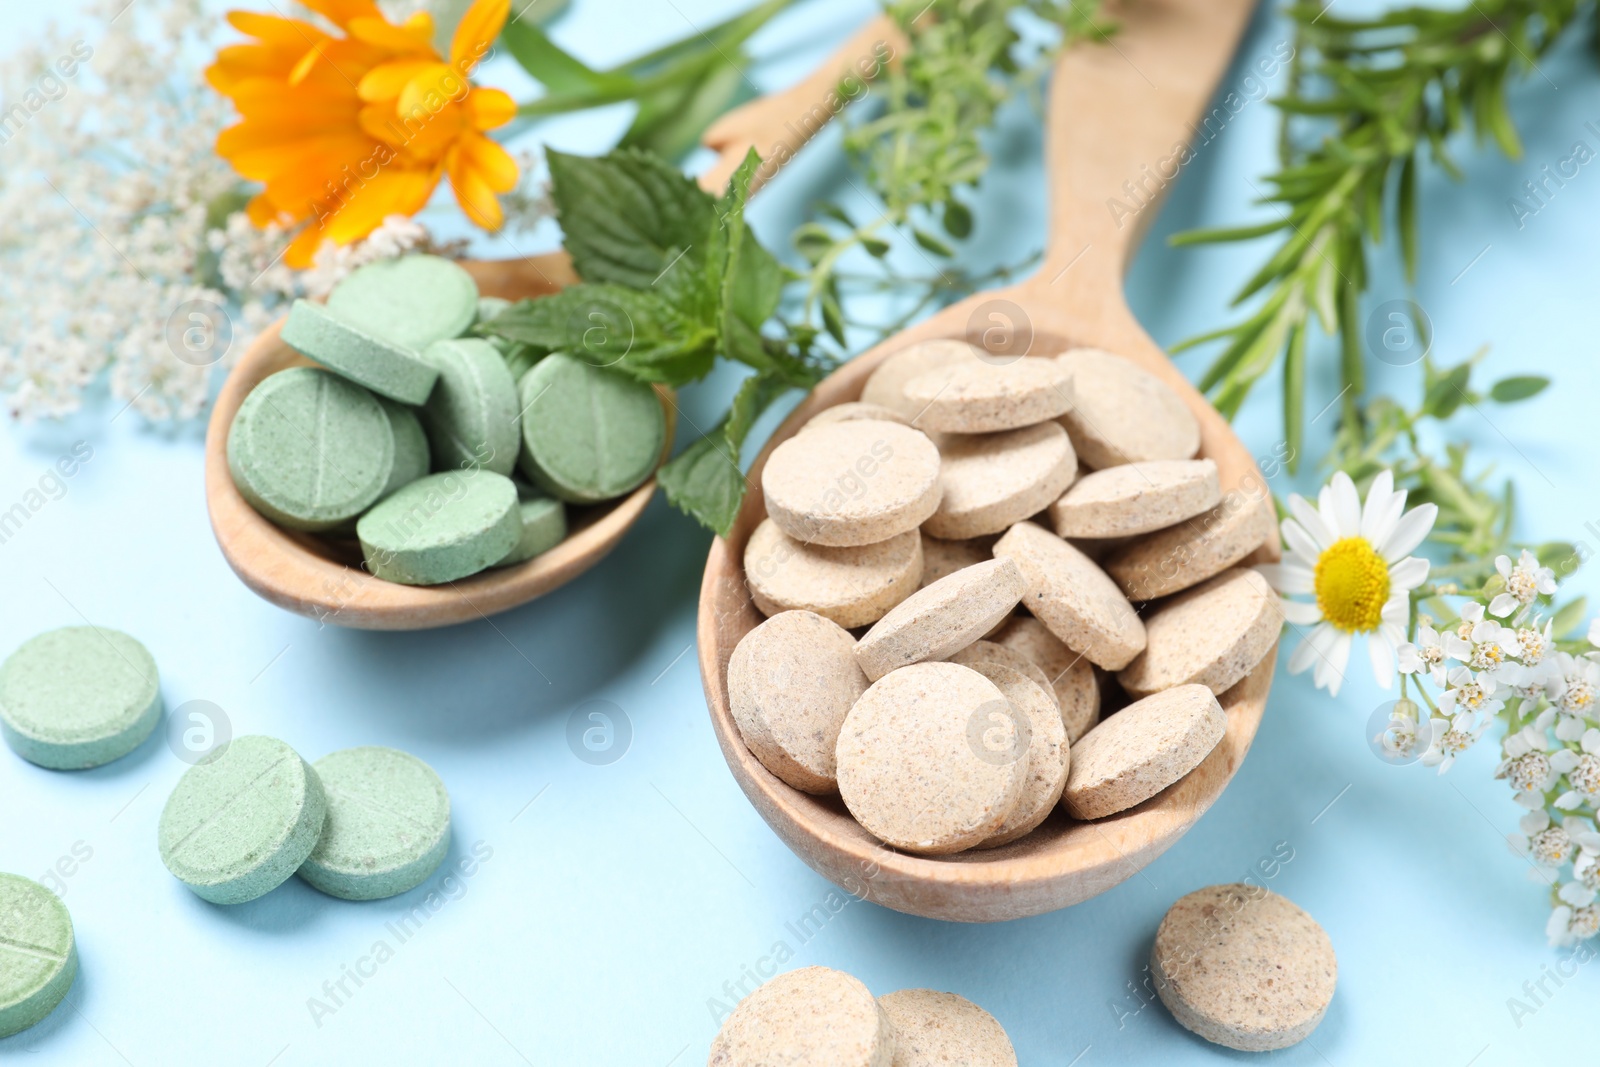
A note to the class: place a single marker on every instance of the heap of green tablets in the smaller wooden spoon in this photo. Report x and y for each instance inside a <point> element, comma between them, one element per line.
<point>417,436</point>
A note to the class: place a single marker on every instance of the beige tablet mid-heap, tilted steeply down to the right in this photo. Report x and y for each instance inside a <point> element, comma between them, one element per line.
<point>1071,596</point>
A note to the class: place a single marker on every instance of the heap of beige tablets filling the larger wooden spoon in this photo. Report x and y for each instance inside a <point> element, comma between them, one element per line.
<point>998,589</point>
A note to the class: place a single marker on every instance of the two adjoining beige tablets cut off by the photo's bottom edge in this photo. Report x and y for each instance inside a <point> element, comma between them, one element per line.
<point>825,1018</point>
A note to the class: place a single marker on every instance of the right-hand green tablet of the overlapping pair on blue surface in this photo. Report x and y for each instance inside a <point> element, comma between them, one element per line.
<point>388,825</point>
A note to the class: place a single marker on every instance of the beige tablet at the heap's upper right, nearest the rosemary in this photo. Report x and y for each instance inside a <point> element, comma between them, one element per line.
<point>1121,414</point>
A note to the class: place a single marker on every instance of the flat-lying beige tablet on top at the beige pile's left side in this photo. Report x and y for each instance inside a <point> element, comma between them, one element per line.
<point>852,484</point>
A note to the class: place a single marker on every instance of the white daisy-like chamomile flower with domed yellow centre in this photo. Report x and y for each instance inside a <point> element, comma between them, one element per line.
<point>1354,559</point>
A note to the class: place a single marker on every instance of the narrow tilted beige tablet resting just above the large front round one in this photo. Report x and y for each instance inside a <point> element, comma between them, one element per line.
<point>942,620</point>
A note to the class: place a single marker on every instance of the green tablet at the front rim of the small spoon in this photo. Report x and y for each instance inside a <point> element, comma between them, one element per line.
<point>442,527</point>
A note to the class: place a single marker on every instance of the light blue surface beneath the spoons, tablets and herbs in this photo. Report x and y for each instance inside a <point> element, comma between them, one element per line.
<point>618,900</point>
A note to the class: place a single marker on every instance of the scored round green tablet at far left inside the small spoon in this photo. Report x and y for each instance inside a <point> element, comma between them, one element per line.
<point>311,450</point>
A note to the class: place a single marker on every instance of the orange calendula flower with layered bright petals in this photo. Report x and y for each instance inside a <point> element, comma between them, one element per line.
<point>345,132</point>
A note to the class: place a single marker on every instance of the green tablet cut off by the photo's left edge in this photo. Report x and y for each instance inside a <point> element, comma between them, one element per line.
<point>39,957</point>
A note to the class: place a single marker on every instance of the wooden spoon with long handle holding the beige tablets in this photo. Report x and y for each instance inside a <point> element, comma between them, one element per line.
<point>1116,108</point>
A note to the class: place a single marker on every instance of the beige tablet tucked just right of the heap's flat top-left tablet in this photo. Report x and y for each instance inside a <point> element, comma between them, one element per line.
<point>994,481</point>
